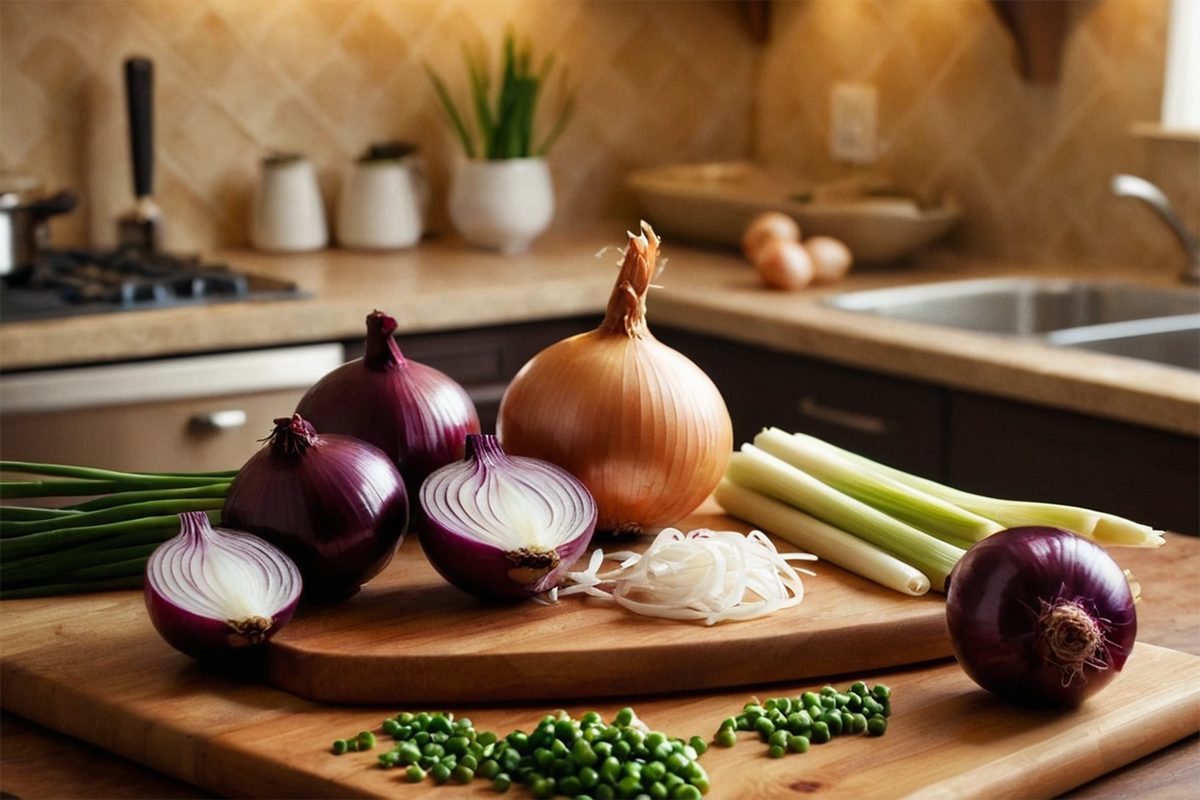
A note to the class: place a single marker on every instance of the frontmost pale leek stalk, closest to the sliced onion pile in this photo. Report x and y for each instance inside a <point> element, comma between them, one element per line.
<point>823,540</point>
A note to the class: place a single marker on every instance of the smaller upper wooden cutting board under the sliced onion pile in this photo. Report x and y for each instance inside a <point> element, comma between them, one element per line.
<point>411,637</point>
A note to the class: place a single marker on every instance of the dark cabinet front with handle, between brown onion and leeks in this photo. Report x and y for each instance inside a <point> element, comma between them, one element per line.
<point>896,422</point>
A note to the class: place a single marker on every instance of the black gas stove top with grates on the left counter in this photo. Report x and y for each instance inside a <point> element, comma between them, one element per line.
<point>71,282</point>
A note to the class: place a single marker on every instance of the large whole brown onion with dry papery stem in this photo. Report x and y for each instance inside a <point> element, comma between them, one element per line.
<point>640,425</point>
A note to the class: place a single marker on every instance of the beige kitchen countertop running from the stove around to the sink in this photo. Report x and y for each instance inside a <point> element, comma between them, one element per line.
<point>445,285</point>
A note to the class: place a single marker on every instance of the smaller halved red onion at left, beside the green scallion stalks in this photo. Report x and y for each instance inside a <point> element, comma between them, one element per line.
<point>212,592</point>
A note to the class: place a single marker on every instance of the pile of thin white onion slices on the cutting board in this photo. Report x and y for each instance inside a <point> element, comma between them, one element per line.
<point>704,575</point>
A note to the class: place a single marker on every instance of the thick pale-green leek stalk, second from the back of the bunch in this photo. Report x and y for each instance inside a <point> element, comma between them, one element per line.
<point>931,514</point>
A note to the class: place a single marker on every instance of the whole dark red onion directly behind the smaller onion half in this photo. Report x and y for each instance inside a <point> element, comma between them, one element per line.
<point>337,506</point>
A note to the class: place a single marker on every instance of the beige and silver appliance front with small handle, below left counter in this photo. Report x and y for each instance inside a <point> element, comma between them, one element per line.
<point>167,416</point>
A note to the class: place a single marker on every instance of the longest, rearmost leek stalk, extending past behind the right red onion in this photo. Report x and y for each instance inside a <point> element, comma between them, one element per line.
<point>1097,526</point>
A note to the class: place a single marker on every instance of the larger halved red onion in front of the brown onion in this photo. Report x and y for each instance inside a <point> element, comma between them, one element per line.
<point>505,527</point>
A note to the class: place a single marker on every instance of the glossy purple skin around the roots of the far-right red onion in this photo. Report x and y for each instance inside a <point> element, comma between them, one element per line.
<point>994,599</point>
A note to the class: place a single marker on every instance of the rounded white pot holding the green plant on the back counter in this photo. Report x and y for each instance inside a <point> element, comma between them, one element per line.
<point>503,204</point>
